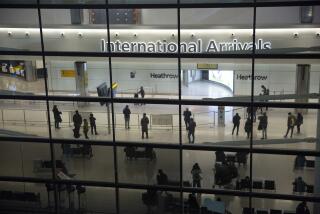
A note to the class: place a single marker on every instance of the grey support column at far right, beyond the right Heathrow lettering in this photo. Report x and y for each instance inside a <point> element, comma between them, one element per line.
<point>302,84</point>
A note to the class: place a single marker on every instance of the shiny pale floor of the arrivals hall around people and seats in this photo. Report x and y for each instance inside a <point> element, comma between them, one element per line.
<point>17,159</point>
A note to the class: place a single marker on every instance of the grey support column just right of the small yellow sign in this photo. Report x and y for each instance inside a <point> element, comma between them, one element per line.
<point>81,79</point>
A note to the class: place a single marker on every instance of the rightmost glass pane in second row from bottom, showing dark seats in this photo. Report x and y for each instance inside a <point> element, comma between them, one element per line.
<point>290,174</point>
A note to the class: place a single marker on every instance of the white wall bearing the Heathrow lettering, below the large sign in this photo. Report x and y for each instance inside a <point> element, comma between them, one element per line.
<point>280,77</point>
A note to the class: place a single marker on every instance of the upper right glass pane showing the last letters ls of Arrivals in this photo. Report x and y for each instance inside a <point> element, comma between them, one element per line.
<point>298,39</point>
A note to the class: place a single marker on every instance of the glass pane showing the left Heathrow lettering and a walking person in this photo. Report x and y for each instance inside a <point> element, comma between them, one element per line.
<point>158,77</point>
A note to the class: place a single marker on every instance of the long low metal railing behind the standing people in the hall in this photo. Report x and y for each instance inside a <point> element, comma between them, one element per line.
<point>26,117</point>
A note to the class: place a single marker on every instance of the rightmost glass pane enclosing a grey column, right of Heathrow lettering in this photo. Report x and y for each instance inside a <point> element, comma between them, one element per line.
<point>286,81</point>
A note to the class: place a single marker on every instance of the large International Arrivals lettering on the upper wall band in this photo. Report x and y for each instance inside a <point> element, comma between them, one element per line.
<point>198,46</point>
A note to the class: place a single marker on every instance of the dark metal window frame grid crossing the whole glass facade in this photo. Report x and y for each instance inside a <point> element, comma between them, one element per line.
<point>178,102</point>
